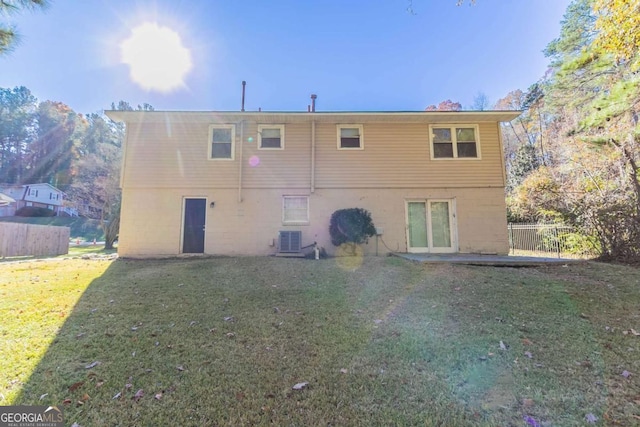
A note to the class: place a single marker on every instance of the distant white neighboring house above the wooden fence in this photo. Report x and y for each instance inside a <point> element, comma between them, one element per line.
<point>39,195</point>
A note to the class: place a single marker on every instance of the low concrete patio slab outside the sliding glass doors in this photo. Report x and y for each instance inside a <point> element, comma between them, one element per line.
<point>495,260</point>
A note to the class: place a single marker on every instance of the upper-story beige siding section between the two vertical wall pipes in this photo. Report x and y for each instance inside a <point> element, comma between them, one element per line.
<point>289,167</point>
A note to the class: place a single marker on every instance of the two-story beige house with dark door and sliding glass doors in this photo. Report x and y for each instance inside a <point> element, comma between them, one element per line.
<point>230,183</point>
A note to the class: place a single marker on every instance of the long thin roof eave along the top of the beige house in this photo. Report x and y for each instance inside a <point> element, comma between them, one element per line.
<point>328,116</point>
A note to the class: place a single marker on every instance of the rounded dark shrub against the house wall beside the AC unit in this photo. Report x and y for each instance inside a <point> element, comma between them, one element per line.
<point>352,225</point>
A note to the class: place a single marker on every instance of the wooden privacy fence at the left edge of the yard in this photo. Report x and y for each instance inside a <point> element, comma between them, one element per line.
<point>33,240</point>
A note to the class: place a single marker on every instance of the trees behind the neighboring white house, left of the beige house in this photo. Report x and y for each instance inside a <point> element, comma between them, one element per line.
<point>48,142</point>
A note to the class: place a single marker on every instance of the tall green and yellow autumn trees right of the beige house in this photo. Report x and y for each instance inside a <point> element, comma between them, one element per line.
<point>572,156</point>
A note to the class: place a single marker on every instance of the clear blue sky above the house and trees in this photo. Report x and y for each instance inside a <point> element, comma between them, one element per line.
<point>367,55</point>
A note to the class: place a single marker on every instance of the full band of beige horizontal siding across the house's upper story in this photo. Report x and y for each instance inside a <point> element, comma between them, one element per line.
<point>175,154</point>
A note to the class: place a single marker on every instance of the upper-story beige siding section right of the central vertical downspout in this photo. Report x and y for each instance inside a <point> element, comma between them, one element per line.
<point>398,155</point>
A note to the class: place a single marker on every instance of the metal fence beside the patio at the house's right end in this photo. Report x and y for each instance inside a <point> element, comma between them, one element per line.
<point>542,239</point>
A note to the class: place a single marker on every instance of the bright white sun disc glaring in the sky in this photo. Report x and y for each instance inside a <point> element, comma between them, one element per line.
<point>156,57</point>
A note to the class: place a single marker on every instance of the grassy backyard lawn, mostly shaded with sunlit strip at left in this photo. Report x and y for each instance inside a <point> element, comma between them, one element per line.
<point>222,341</point>
